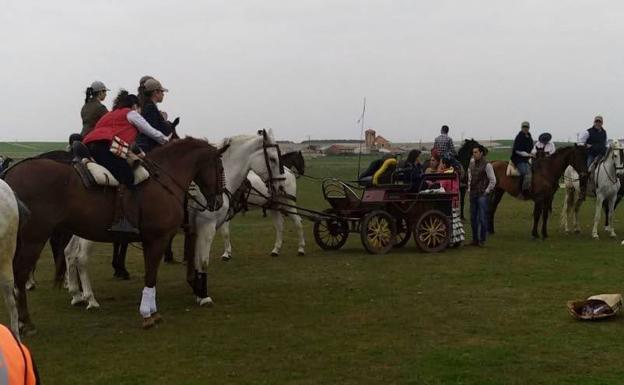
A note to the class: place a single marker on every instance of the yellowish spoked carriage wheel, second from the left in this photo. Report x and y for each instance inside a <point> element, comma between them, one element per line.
<point>378,232</point>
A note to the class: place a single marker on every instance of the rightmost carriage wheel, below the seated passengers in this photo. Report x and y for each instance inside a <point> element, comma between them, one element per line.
<point>432,232</point>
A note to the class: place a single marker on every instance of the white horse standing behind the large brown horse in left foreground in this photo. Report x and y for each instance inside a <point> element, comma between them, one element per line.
<point>245,153</point>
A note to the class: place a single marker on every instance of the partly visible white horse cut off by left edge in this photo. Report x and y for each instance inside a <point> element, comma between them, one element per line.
<point>9,228</point>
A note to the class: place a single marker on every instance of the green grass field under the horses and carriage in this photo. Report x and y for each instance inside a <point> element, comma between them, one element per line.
<point>466,316</point>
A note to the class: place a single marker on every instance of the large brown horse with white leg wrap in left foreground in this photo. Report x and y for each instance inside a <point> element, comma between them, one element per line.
<point>57,198</point>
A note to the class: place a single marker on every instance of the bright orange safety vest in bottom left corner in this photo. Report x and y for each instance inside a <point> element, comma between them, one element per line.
<point>16,365</point>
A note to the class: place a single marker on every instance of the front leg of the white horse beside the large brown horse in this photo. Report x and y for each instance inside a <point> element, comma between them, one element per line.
<point>205,235</point>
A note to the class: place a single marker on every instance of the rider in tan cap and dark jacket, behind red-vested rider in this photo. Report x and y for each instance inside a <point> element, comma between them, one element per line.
<point>154,93</point>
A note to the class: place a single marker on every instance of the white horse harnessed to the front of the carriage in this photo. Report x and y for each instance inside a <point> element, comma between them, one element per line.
<point>258,197</point>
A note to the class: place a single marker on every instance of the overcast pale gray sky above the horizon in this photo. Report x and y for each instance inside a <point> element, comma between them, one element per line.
<point>302,67</point>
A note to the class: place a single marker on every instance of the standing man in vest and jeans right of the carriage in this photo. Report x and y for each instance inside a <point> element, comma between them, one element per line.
<point>481,181</point>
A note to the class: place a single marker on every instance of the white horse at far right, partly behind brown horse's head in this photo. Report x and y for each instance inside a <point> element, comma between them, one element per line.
<point>607,184</point>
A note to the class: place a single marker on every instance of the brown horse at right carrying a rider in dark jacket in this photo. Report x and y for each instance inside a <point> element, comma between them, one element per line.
<point>546,175</point>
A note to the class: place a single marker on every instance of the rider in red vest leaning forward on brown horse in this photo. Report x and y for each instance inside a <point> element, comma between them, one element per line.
<point>124,123</point>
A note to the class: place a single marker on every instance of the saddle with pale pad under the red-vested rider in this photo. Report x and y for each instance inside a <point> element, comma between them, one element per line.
<point>92,174</point>
